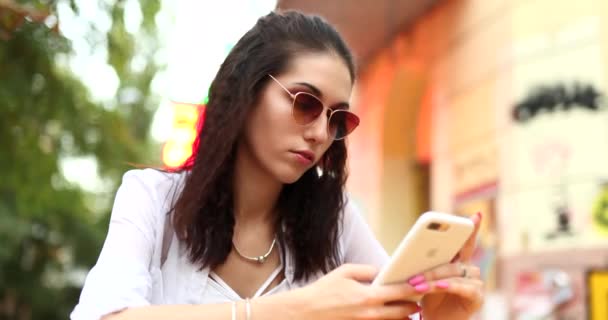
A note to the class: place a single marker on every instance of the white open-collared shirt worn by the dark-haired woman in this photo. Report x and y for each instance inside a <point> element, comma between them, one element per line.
<point>128,272</point>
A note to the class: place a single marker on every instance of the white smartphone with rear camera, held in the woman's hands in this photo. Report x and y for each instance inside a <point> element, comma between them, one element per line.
<point>435,239</point>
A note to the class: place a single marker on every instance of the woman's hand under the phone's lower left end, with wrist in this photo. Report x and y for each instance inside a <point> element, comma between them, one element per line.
<point>345,294</point>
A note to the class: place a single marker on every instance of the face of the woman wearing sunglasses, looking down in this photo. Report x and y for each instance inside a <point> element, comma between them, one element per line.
<point>273,139</point>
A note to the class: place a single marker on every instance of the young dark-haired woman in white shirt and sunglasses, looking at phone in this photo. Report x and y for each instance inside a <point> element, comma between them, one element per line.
<point>257,225</point>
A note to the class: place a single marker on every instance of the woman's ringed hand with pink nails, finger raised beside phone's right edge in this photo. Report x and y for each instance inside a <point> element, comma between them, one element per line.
<point>452,291</point>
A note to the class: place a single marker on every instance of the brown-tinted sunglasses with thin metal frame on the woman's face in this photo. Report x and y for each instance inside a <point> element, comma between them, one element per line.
<point>307,108</point>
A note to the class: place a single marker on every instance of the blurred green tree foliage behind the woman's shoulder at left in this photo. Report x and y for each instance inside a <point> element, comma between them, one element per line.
<point>49,227</point>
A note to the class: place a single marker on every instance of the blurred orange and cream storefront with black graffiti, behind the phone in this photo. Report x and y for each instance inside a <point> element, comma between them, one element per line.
<point>494,106</point>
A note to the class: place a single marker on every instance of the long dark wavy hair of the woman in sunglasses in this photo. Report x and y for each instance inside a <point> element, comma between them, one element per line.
<point>309,209</point>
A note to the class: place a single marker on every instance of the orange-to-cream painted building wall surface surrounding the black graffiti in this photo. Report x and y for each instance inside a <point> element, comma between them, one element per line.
<point>465,64</point>
